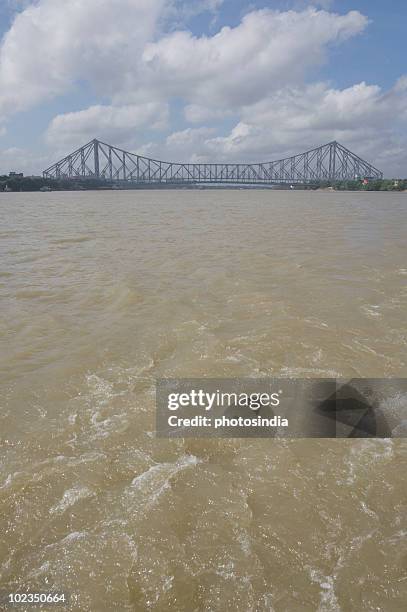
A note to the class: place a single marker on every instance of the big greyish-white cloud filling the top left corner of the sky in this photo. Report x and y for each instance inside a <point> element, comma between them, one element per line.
<point>54,44</point>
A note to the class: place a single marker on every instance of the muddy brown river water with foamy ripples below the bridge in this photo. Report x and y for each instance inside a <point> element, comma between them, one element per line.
<point>103,292</point>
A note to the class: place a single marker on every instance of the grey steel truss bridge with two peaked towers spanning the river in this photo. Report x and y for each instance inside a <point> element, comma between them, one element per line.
<point>98,160</point>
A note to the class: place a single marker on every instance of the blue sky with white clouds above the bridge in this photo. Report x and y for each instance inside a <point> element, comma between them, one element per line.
<point>203,80</point>
